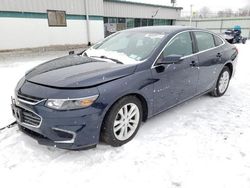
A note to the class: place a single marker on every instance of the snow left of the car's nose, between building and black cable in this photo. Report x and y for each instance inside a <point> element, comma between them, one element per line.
<point>13,68</point>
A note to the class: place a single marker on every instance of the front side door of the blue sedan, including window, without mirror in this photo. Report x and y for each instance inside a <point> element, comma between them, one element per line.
<point>176,82</point>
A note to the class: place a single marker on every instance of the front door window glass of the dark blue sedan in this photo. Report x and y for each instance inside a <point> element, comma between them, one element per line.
<point>180,45</point>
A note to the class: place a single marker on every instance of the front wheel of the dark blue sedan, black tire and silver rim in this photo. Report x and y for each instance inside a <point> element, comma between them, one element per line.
<point>115,119</point>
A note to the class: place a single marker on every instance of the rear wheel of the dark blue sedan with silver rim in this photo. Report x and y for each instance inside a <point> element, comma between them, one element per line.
<point>222,83</point>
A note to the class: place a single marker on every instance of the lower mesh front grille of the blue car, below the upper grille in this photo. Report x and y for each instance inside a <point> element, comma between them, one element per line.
<point>30,118</point>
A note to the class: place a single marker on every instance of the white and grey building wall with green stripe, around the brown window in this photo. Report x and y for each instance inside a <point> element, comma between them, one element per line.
<point>24,23</point>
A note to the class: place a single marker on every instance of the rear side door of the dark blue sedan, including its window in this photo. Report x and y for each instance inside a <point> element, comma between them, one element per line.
<point>210,57</point>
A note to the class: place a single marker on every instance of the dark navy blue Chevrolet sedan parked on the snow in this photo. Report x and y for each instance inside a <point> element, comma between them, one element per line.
<point>105,92</point>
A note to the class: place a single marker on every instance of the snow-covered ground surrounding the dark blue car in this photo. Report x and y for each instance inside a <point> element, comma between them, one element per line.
<point>203,143</point>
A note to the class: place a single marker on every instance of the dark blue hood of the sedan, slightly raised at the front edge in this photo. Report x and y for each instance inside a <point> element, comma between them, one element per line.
<point>75,71</point>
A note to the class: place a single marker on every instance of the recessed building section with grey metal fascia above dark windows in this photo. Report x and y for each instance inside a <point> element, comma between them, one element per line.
<point>119,15</point>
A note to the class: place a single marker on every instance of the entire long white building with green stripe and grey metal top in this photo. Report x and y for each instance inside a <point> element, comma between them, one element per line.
<point>42,23</point>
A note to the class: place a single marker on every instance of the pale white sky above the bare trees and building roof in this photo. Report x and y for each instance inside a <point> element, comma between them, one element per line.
<point>213,5</point>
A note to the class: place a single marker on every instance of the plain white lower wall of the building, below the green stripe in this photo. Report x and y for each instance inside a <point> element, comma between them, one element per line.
<point>33,32</point>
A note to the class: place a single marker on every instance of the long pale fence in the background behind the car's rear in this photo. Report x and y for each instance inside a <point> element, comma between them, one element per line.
<point>219,25</point>
